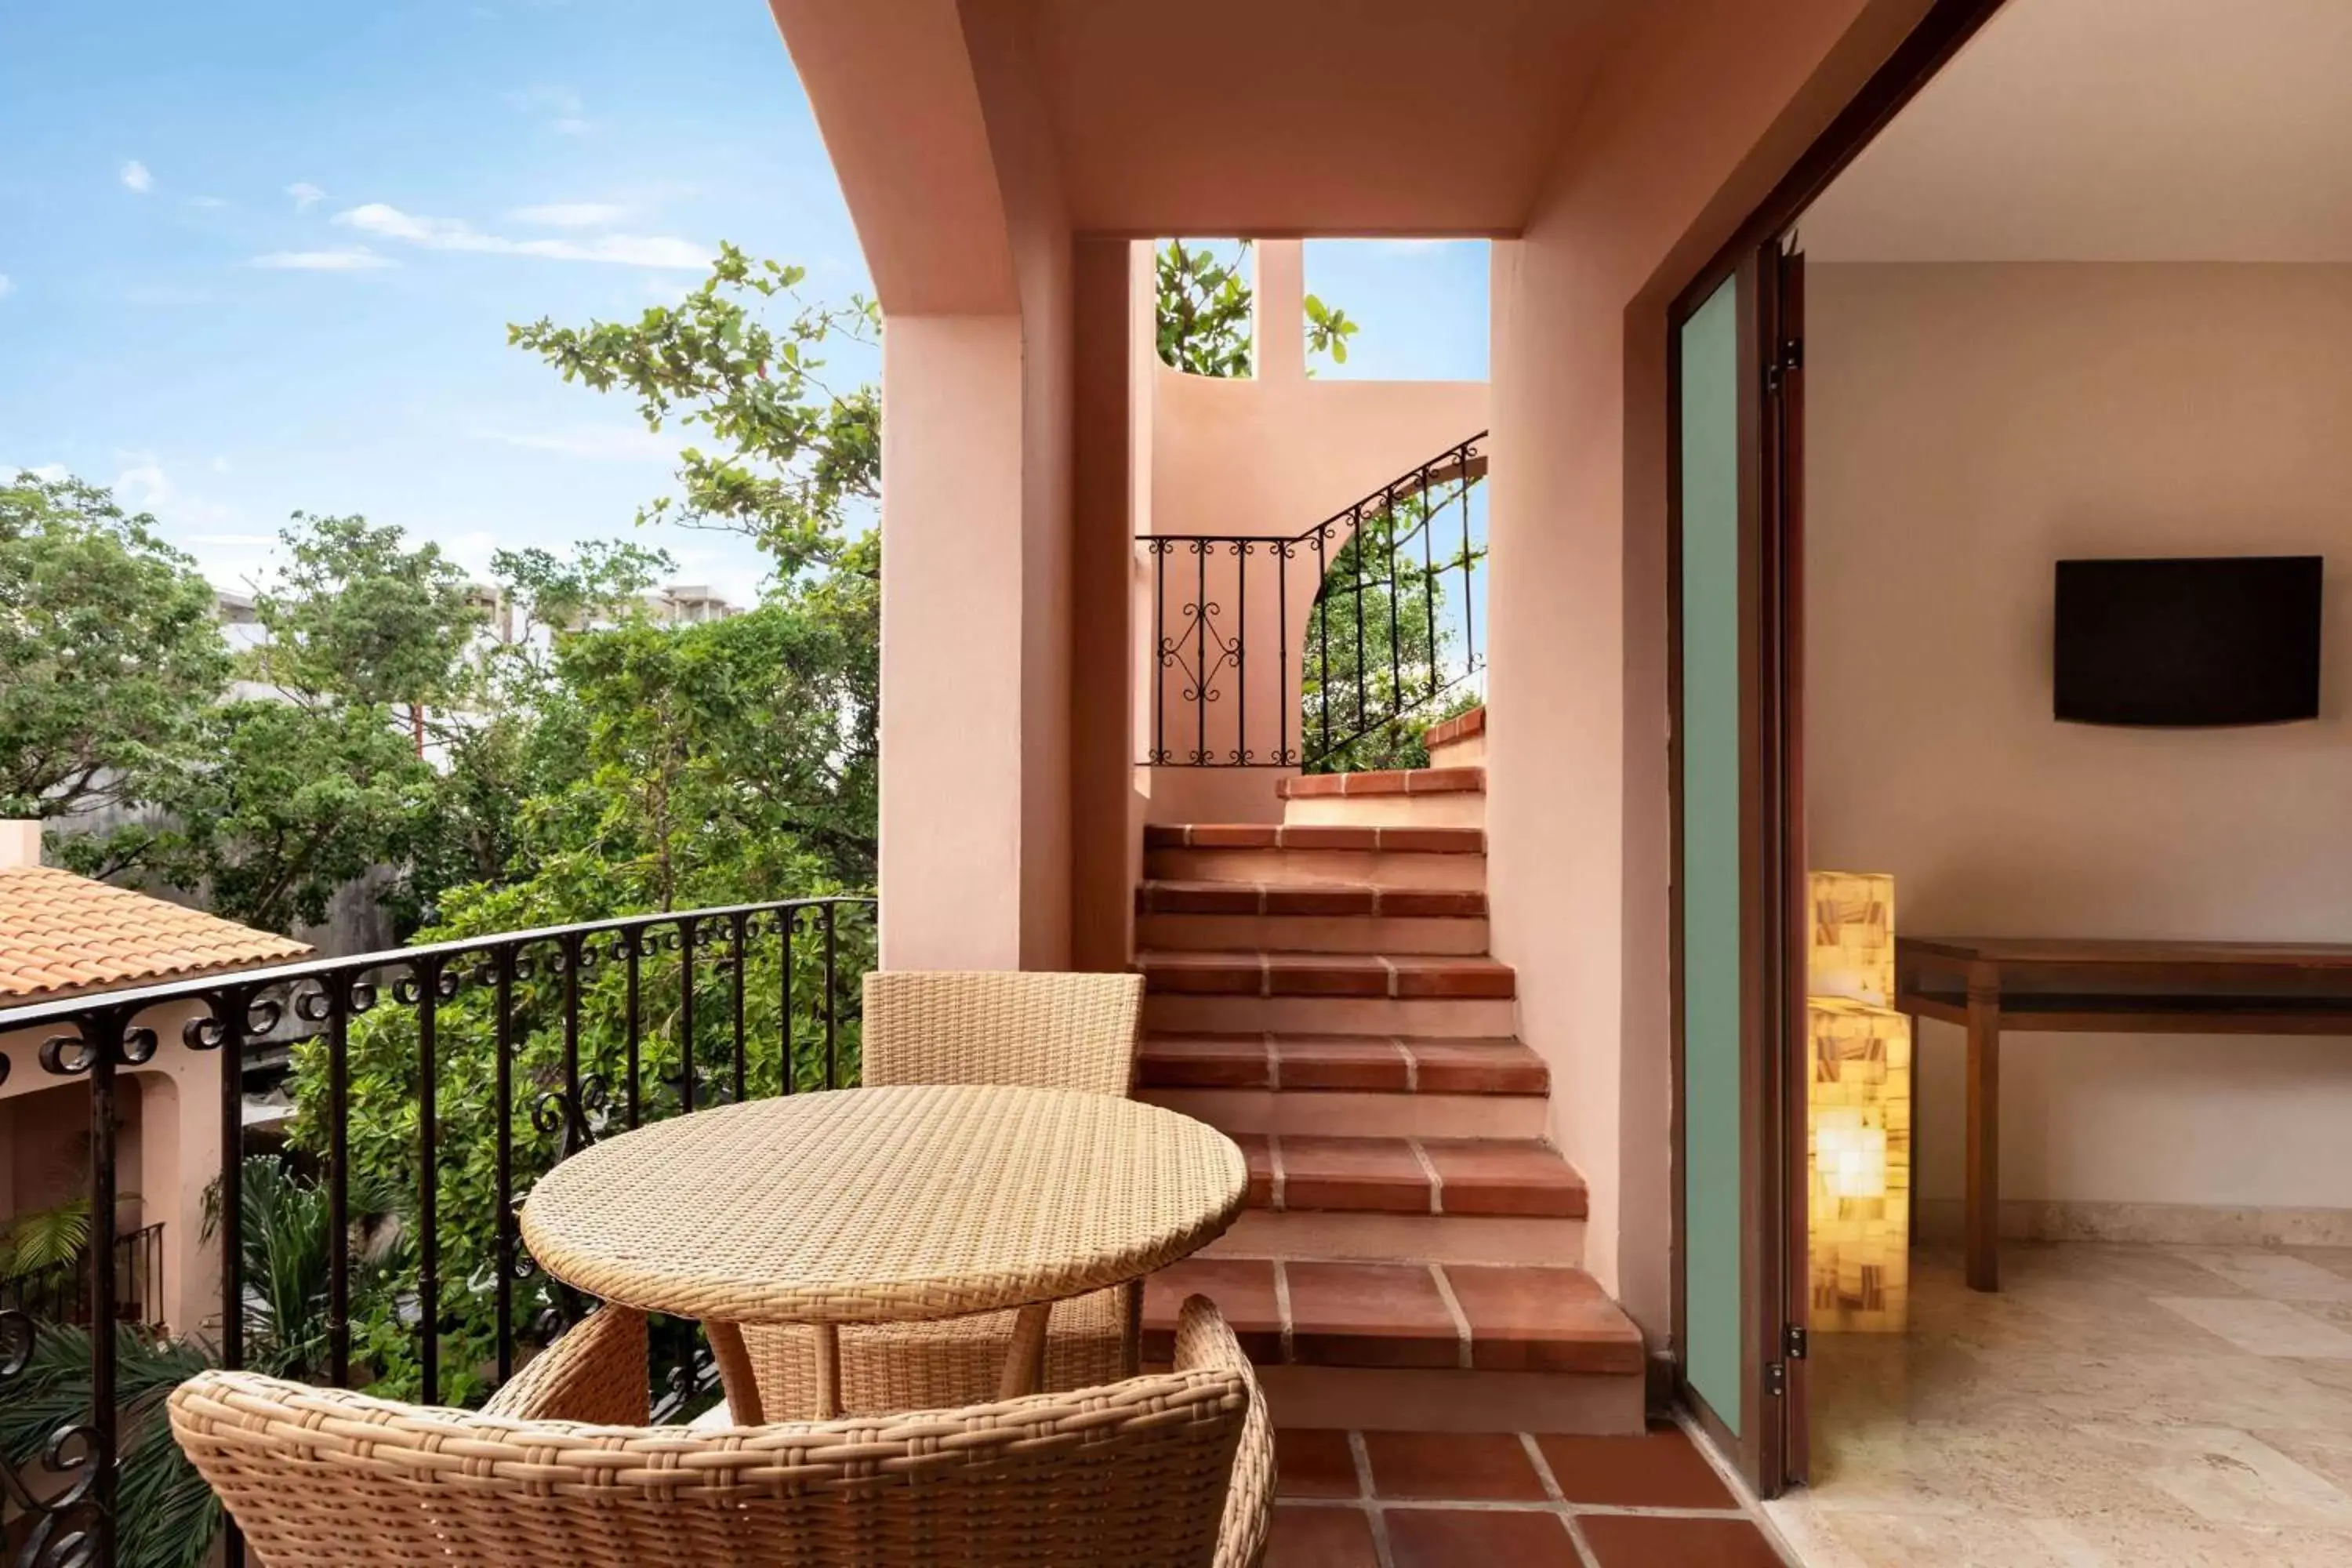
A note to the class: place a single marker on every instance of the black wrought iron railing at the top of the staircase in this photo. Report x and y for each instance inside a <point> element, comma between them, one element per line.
<point>1304,650</point>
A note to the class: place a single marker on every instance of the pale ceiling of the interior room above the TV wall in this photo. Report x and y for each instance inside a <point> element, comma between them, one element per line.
<point>2116,130</point>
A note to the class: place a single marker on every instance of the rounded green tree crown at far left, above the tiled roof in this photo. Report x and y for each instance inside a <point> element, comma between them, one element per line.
<point>109,652</point>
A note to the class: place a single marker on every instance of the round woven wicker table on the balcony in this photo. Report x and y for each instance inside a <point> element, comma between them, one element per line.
<point>883,1205</point>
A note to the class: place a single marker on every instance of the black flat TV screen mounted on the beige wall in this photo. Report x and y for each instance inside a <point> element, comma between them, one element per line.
<point>2184,643</point>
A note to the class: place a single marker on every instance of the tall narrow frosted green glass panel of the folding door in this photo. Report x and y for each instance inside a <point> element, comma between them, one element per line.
<point>1711,852</point>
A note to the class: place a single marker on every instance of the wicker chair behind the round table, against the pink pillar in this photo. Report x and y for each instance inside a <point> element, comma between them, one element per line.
<point>1038,1031</point>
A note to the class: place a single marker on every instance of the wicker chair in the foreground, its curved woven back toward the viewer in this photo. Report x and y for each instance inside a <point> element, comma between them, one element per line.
<point>1172,1470</point>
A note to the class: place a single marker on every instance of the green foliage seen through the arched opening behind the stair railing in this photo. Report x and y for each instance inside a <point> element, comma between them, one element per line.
<point>1375,723</point>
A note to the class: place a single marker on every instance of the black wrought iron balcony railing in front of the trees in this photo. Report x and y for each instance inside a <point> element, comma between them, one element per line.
<point>441,1085</point>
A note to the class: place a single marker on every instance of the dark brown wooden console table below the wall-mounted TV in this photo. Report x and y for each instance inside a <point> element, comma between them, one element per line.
<point>2102,989</point>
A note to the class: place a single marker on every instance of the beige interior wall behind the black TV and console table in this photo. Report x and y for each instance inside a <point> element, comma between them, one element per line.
<point>1967,427</point>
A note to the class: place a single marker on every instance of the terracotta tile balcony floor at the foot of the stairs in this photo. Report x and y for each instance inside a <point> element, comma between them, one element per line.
<point>1450,1501</point>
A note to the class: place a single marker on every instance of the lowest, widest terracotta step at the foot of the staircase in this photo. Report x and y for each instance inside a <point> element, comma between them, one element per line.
<point>1417,1346</point>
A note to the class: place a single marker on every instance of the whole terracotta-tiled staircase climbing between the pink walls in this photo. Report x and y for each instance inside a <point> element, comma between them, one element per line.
<point>1323,993</point>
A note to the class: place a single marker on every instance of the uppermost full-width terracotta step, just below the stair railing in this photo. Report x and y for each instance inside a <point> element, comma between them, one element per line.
<point>1316,855</point>
